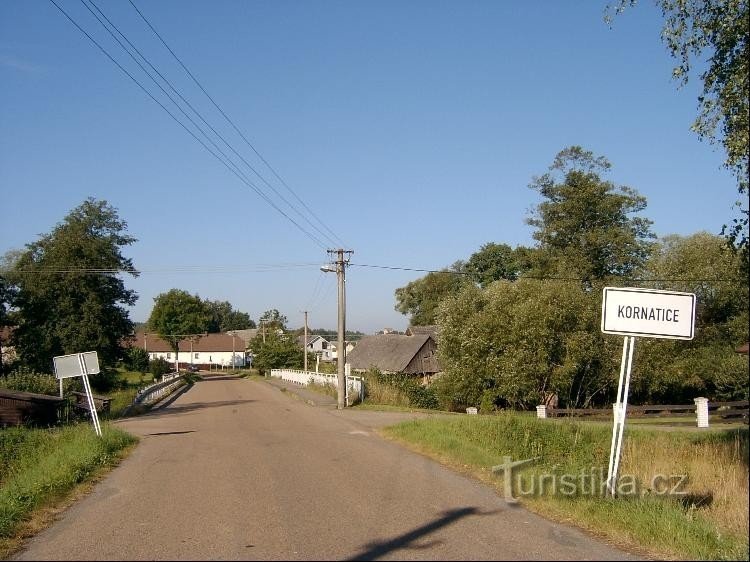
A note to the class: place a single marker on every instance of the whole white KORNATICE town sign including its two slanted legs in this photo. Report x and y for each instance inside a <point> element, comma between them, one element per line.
<point>650,313</point>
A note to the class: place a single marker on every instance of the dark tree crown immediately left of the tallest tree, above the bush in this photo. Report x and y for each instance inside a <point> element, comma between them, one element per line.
<point>493,262</point>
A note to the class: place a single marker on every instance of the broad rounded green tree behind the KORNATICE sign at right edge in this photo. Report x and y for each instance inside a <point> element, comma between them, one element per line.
<point>676,371</point>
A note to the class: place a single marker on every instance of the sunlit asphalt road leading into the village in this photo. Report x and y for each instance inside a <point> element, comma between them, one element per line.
<point>236,469</point>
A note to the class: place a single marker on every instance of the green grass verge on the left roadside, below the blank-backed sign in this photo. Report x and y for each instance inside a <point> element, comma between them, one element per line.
<point>40,468</point>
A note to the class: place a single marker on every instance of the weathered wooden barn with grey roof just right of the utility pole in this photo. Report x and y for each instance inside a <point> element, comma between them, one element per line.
<point>396,353</point>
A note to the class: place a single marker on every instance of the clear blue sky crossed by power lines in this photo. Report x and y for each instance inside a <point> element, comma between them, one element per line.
<point>410,128</point>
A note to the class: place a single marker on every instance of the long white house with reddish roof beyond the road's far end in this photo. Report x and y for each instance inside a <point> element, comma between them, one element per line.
<point>205,351</point>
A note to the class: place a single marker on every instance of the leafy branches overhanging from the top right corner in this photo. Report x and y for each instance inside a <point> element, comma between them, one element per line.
<point>715,31</point>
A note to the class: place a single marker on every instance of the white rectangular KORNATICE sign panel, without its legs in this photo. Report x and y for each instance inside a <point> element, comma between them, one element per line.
<point>648,313</point>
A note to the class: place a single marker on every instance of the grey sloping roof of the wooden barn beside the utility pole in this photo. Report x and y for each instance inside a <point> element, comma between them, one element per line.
<point>387,352</point>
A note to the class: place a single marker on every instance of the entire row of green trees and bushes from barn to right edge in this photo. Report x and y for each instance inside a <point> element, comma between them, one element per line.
<point>519,325</point>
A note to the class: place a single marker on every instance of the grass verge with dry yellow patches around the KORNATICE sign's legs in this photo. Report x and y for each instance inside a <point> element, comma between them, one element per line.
<point>708,520</point>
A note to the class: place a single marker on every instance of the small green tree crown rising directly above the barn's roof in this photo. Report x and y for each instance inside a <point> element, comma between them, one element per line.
<point>420,298</point>
